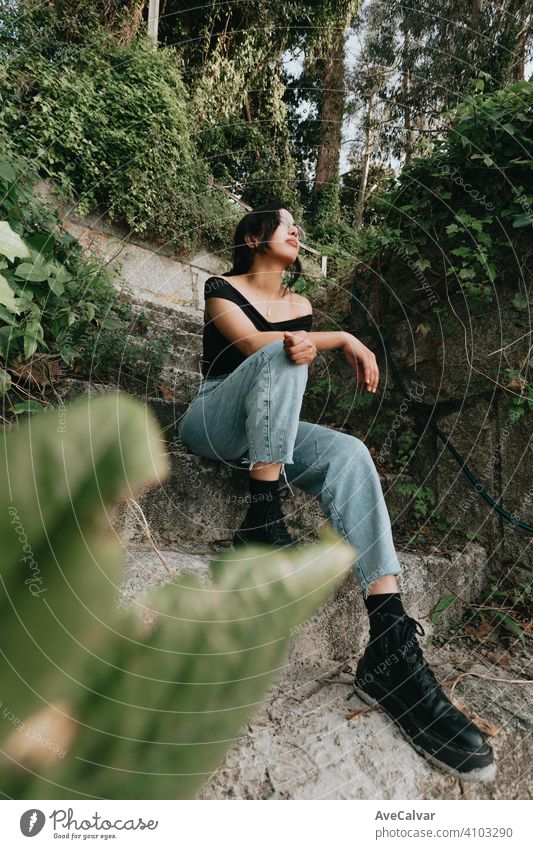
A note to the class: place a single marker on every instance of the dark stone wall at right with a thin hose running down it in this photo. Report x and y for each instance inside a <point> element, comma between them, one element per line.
<point>459,378</point>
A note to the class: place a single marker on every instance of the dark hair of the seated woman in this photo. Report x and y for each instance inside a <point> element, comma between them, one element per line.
<point>260,222</point>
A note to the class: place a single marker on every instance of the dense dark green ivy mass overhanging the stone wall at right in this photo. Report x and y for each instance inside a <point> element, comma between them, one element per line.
<point>460,214</point>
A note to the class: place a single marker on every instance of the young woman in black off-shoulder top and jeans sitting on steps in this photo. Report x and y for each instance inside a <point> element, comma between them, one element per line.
<point>257,348</point>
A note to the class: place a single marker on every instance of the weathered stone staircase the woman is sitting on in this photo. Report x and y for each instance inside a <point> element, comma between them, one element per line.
<point>301,743</point>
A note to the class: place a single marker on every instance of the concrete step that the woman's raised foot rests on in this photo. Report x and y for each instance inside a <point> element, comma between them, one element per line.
<point>339,628</point>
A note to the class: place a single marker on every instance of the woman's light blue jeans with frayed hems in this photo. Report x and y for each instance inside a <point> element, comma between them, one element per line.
<point>252,415</point>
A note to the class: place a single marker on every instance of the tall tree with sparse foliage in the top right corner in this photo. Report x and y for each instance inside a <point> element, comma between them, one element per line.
<point>431,53</point>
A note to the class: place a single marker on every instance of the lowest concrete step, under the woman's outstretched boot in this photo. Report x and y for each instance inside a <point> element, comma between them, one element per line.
<point>305,743</point>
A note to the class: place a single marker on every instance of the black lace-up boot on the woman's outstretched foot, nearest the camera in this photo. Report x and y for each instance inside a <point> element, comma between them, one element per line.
<point>394,674</point>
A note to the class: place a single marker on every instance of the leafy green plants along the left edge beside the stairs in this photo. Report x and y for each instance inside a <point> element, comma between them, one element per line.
<point>59,310</point>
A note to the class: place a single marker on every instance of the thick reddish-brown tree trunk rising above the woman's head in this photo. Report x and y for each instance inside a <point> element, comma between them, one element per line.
<point>327,167</point>
